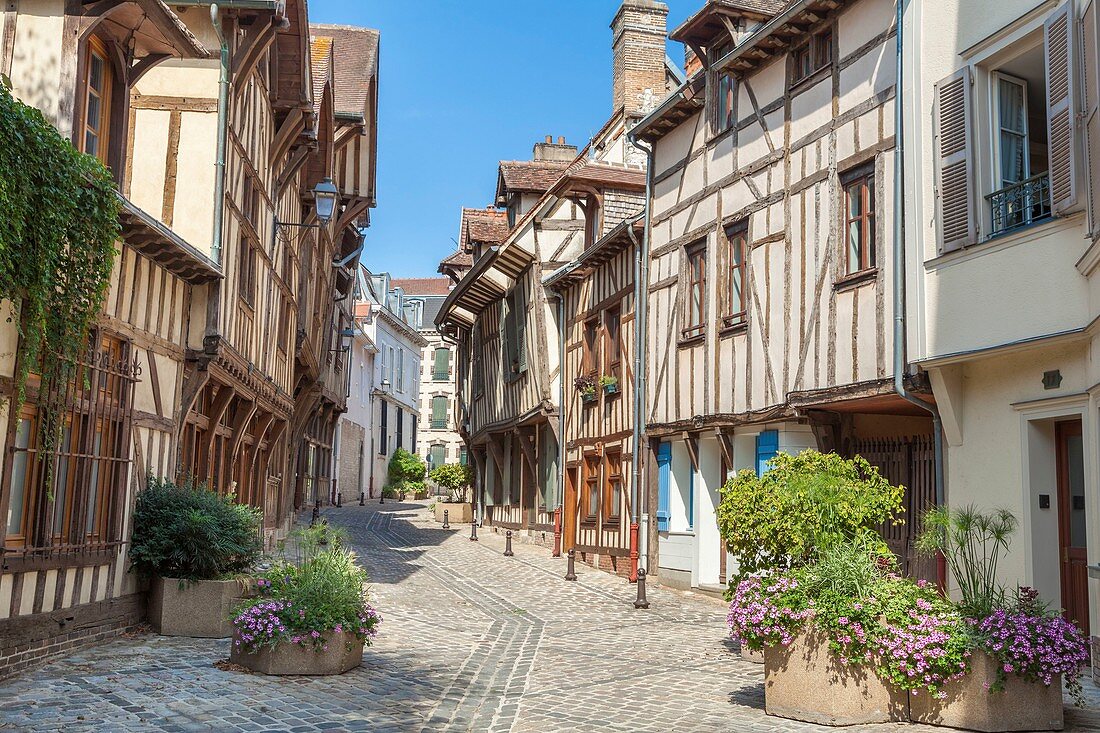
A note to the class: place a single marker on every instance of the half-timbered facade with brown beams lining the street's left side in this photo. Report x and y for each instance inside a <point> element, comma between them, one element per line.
<point>221,351</point>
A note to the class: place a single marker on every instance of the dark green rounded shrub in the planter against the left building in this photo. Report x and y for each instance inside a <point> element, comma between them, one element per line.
<point>191,533</point>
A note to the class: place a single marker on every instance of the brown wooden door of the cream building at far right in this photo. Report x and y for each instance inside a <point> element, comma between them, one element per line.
<point>1072,534</point>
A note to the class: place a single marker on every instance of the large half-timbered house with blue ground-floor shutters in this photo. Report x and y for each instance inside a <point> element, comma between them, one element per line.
<point>769,283</point>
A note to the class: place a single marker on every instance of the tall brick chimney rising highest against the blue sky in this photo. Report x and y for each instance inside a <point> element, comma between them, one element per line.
<point>639,36</point>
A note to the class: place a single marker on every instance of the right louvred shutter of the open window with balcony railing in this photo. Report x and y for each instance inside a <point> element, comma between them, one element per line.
<point>1061,111</point>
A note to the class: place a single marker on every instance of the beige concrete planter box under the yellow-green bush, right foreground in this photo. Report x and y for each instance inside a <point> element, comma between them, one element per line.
<point>807,682</point>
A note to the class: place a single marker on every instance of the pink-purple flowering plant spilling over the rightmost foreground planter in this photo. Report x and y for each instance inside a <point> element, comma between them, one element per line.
<point>1029,641</point>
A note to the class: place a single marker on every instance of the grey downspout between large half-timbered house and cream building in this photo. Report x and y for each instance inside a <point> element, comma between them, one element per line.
<point>900,358</point>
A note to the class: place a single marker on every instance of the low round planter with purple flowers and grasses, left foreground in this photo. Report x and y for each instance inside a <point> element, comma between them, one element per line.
<point>312,618</point>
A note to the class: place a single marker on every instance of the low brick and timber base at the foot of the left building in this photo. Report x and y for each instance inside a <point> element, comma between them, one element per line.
<point>30,641</point>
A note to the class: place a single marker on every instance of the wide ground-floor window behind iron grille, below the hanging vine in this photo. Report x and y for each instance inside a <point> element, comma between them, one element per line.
<point>83,507</point>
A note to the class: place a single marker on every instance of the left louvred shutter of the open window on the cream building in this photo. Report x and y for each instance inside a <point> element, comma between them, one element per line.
<point>956,220</point>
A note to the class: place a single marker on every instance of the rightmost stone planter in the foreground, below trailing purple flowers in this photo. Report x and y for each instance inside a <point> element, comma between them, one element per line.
<point>1024,706</point>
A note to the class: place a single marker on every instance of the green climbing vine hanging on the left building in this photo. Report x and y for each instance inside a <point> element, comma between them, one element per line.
<point>59,224</point>
